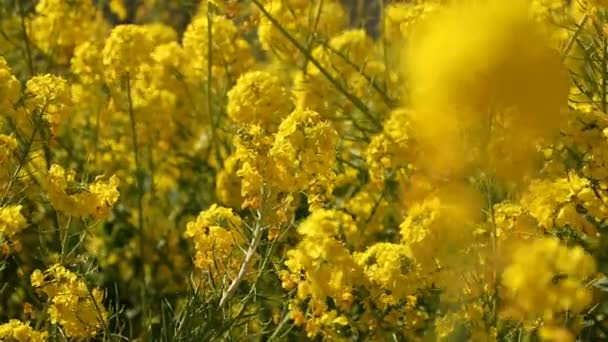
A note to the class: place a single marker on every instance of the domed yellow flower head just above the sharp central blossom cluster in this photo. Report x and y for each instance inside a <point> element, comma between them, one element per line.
<point>259,98</point>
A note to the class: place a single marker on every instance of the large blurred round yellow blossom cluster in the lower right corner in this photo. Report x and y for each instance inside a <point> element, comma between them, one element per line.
<point>546,278</point>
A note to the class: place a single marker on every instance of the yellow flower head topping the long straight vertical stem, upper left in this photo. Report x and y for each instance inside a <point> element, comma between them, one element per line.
<point>127,47</point>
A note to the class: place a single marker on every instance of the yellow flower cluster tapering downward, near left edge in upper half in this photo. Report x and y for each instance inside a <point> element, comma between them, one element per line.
<point>50,95</point>
